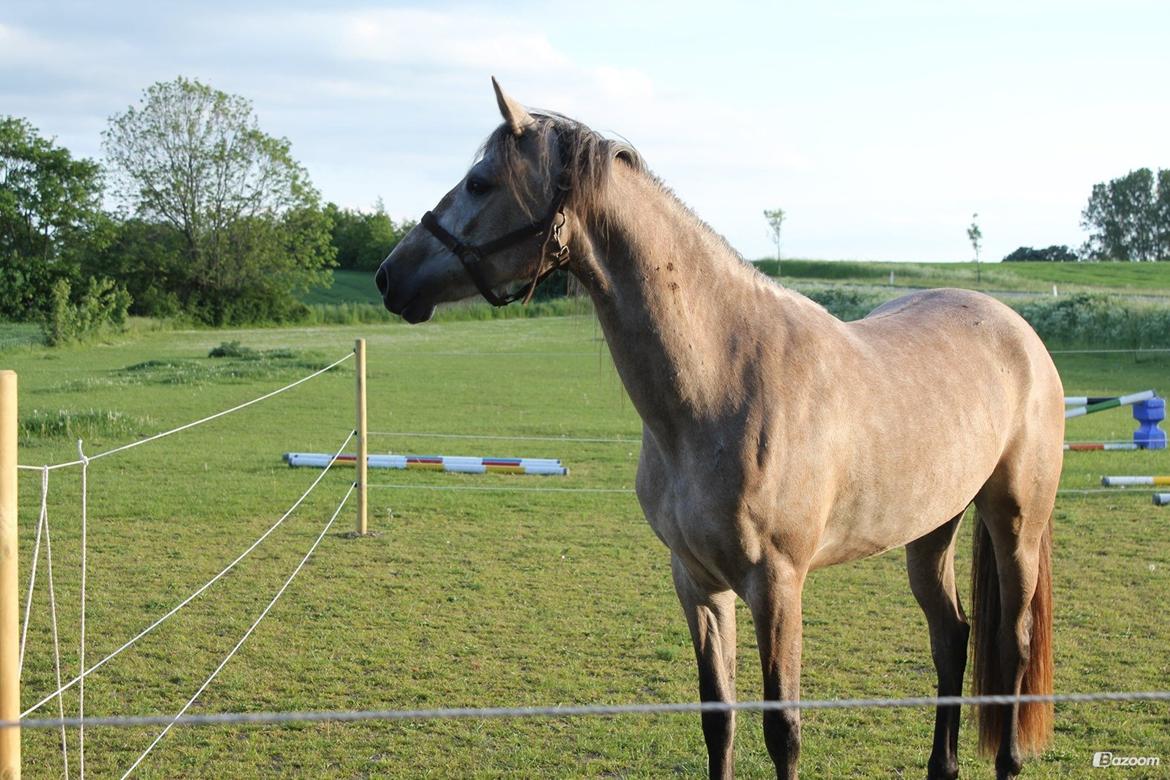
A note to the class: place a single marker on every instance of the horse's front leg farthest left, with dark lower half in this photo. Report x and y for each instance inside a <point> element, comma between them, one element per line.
<point>711,617</point>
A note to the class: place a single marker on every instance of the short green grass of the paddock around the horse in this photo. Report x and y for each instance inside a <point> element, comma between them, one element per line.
<point>481,599</point>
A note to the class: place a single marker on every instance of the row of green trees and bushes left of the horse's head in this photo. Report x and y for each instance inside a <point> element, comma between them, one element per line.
<point>196,213</point>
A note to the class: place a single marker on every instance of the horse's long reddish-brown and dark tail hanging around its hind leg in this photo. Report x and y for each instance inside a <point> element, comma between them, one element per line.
<point>1036,720</point>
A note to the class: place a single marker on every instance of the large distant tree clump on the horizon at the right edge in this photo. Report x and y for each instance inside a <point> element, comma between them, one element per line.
<point>1130,218</point>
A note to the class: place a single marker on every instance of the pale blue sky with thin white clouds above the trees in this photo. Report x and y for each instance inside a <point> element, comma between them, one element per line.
<point>879,128</point>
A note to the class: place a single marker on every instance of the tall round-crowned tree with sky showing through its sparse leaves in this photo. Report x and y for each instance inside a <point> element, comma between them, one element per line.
<point>251,230</point>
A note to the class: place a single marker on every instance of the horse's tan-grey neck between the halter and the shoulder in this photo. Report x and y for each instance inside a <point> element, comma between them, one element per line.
<point>679,309</point>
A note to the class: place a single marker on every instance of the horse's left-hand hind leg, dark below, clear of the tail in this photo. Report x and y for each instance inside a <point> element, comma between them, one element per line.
<point>931,565</point>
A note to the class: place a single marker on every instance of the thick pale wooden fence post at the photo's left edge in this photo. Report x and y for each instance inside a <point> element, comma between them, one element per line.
<point>10,602</point>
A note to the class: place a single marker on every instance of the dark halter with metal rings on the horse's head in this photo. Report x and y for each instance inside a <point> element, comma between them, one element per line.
<point>472,256</point>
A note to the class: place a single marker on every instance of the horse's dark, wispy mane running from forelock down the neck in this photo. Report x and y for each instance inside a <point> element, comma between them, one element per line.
<point>588,160</point>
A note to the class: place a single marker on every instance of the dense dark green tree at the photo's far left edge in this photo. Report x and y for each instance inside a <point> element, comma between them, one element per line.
<point>51,217</point>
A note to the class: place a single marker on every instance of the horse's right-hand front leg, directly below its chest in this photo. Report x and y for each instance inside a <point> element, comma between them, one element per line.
<point>774,596</point>
